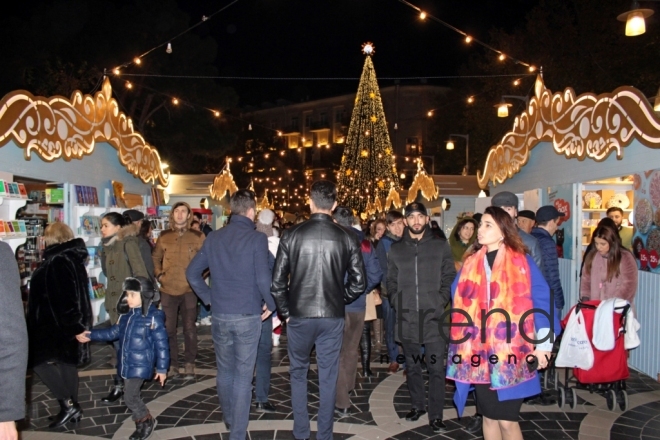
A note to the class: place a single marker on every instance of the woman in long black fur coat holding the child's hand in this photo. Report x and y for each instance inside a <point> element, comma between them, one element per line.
<point>58,310</point>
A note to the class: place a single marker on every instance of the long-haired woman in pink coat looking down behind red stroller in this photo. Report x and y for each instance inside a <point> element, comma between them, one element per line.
<point>610,270</point>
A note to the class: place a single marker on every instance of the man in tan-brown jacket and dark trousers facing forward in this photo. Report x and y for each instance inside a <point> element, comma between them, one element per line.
<point>174,250</point>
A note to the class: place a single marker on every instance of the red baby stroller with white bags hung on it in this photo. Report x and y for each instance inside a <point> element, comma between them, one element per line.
<point>608,375</point>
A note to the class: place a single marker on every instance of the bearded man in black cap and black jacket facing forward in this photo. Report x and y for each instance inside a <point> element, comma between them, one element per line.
<point>420,270</point>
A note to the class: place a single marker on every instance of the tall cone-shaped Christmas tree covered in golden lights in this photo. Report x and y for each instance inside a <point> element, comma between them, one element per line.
<point>368,170</point>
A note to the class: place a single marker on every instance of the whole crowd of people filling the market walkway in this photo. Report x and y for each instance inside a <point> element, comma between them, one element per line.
<point>320,276</point>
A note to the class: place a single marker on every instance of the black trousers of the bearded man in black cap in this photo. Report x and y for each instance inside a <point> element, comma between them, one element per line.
<point>434,356</point>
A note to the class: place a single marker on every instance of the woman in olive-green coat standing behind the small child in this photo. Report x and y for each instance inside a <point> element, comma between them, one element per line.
<point>120,259</point>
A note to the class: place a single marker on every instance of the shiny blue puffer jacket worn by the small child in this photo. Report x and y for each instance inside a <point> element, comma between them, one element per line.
<point>143,343</point>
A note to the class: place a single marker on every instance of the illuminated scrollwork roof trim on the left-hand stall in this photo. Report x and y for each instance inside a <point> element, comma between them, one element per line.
<point>57,128</point>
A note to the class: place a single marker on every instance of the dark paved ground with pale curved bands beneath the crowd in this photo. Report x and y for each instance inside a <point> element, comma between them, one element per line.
<point>189,409</point>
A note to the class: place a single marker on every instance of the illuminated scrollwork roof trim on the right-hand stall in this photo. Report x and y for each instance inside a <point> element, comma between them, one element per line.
<point>584,127</point>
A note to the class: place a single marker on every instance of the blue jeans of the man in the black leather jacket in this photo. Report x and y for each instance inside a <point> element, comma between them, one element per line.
<point>302,335</point>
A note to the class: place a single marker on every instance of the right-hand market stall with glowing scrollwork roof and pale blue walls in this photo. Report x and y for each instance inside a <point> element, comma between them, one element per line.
<point>584,154</point>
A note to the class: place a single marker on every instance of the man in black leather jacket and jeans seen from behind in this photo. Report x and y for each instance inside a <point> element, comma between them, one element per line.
<point>309,289</point>
